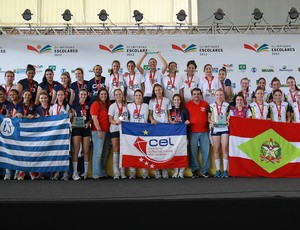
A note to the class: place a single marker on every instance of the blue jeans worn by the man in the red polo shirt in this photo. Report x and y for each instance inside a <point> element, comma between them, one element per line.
<point>203,140</point>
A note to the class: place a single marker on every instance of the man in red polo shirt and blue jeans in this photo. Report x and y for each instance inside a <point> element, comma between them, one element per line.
<point>198,130</point>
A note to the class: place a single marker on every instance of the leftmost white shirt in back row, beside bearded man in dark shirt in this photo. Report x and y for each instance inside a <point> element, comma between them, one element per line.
<point>114,81</point>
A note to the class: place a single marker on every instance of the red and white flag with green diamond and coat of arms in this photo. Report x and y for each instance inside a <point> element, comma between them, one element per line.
<point>263,148</point>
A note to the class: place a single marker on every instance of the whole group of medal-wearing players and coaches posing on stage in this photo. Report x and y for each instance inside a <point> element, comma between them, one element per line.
<point>202,101</point>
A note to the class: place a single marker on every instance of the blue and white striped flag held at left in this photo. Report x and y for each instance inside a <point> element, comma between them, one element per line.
<point>35,145</point>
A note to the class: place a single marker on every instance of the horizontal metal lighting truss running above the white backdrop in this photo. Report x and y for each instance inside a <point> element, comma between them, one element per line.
<point>151,30</point>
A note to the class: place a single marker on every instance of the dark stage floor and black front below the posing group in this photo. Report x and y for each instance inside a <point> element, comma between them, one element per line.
<point>164,202</point>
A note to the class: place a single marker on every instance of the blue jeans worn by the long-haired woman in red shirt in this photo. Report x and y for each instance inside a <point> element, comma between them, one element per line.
<point>100,154</point>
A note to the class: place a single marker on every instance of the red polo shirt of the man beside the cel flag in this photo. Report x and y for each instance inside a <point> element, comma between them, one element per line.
<point>198,116</point>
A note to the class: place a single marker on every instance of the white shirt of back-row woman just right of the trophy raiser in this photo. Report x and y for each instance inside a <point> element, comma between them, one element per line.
<point>172,85</point>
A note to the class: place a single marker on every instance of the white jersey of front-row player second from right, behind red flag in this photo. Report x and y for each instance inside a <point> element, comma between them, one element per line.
<point>278,112</point>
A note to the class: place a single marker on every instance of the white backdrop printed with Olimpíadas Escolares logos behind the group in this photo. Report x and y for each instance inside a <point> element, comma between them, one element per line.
<point>267,55</point>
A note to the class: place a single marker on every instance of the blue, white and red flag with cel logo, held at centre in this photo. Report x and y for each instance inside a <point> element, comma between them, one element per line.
<point>153,146</point>
